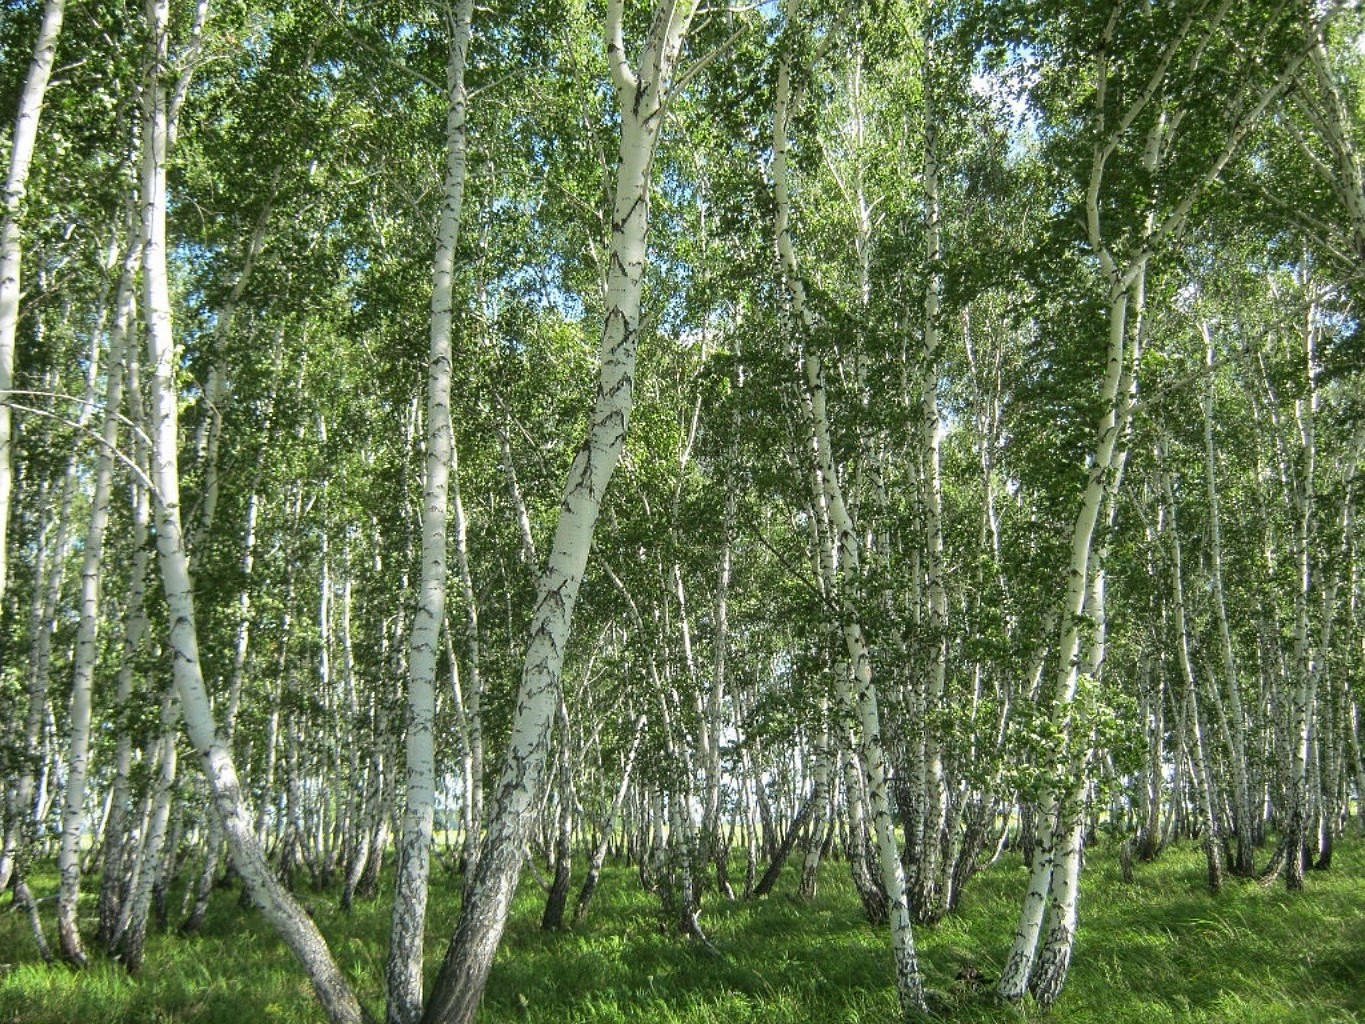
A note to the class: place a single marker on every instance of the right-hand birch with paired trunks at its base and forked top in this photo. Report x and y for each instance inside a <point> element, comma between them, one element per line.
<point>1132,110</point>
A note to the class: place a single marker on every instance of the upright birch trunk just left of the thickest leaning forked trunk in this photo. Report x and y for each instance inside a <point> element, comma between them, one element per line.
<point>414,850</point>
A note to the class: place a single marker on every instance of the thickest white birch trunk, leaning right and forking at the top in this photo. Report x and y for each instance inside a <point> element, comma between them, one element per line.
<point>642,95</point>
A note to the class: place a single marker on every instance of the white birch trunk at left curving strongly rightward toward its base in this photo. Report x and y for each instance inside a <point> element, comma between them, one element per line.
<point>290,921</point>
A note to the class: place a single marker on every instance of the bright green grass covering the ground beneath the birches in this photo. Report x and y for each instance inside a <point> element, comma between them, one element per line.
<point>1162,950</point>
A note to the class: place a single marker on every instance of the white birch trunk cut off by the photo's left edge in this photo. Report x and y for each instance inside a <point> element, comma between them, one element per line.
<point>12,245</point>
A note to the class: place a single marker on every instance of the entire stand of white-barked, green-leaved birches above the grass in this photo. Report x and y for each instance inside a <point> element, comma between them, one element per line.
<point>708,436</point>
